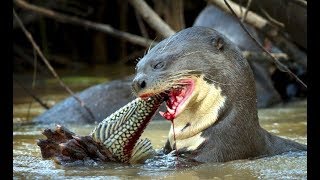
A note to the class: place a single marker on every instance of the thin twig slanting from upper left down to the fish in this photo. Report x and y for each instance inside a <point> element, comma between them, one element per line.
<point>36,47</point>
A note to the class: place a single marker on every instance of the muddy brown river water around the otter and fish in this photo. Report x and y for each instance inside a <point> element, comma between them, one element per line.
<point>288,121</point>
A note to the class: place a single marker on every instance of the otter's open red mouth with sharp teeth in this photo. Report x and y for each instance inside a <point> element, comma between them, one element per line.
<point>177,98</point>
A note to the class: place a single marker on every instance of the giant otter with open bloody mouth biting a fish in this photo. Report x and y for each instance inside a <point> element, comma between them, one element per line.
<point>210,97</point>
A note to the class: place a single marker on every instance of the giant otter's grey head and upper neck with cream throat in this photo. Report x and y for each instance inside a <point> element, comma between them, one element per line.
<point>201,73</point>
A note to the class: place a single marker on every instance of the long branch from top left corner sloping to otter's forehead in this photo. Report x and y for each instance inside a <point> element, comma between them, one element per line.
<point>88,24</point>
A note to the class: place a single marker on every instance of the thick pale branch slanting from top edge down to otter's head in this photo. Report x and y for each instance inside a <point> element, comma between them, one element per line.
<point>152,18</point>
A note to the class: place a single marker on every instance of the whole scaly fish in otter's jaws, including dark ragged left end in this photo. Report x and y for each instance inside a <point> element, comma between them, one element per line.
<point>115,139</point>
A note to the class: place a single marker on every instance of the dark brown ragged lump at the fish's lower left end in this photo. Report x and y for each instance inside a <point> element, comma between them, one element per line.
<point>65,147</point>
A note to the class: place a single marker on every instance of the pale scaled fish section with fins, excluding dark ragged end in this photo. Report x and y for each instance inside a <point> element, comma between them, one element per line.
<point>120,132</point>
